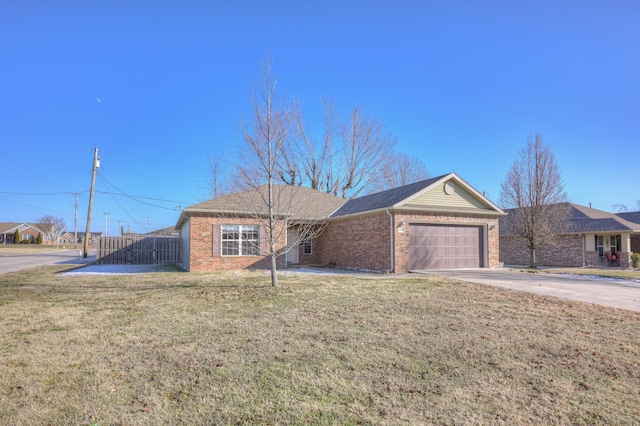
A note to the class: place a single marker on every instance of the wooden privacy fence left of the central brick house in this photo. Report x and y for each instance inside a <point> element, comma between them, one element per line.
<point>138,250</point>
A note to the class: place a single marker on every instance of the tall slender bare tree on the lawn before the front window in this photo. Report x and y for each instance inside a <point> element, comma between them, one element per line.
<point>278,208</point>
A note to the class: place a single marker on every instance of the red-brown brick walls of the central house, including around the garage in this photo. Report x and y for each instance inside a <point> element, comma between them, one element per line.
<point>361,242</point>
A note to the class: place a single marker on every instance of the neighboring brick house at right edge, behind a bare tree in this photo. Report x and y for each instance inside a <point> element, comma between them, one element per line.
<point>587,236</point>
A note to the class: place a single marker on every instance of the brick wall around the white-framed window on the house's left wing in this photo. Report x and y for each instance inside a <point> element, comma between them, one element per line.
<point>201,256</point>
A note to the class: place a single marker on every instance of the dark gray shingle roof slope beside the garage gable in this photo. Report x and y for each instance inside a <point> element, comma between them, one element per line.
<point>384,199</point>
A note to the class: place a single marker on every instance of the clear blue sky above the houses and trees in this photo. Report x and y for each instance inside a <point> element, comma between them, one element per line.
<point>160,86</point>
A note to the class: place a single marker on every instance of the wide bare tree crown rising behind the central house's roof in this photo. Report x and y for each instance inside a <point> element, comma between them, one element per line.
<point>348,159</point>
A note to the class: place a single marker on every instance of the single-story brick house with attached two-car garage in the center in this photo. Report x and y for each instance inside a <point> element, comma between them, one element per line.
<point>440,222</point>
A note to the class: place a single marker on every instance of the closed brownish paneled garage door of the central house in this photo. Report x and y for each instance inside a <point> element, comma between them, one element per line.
<point>445,246</point>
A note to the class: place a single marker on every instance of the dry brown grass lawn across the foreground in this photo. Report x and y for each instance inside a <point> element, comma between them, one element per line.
<point>167,348</point>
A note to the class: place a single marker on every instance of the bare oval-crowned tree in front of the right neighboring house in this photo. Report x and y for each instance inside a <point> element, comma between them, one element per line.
<point>534,189</point>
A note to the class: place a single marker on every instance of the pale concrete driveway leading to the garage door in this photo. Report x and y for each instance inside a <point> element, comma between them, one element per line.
<point>617,293</point>
